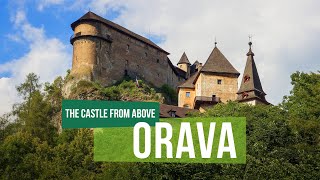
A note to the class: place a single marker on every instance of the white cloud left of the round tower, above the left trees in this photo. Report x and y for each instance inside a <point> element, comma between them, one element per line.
<point>47,57</point>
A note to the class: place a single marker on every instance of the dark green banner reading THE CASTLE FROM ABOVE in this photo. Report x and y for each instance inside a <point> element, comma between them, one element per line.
<point>95,114</point>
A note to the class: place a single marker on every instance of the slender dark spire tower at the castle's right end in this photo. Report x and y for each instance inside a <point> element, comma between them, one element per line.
<point>251,91</point>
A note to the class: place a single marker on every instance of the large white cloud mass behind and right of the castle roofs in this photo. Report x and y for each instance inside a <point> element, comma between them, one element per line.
<point>285,33</point>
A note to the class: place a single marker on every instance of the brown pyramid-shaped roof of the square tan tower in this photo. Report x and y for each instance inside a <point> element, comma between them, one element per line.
<point>218,63</point>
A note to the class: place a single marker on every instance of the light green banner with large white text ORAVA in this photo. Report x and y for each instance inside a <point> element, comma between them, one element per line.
<point>188,140</point>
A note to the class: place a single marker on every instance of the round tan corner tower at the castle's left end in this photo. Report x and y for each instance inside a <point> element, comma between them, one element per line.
<point>87,42</point>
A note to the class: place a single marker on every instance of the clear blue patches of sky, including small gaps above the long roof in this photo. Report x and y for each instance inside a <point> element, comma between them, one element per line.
<point>54,18</point>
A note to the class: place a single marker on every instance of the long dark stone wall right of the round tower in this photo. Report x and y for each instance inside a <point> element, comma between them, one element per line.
<point>127,55</point>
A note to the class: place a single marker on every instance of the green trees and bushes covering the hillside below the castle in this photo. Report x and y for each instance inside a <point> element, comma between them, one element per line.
<point>283,141</point>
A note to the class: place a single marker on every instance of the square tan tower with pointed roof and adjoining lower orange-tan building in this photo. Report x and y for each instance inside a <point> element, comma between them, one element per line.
<point>216,81</point>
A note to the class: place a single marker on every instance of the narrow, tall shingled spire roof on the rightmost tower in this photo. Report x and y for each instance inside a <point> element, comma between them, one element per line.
<point>250,80</point>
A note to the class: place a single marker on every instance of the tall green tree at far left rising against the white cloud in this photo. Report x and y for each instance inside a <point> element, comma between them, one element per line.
<point>35,113</point>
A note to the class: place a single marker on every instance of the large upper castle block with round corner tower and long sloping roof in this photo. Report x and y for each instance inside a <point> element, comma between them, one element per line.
<point>105,52</point>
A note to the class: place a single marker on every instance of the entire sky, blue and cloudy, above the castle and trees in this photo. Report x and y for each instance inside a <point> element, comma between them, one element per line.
<point>286,35</point>
